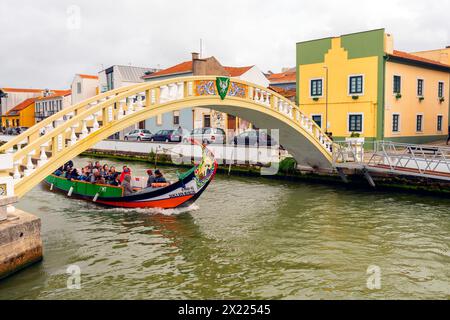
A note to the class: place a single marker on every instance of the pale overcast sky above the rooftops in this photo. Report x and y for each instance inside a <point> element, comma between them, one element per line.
<point>44,43</point>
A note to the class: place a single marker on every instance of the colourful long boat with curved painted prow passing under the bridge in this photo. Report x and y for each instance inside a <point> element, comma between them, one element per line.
<point>182,193</point>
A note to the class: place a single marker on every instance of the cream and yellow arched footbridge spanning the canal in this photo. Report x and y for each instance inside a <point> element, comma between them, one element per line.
<point>71,131</point>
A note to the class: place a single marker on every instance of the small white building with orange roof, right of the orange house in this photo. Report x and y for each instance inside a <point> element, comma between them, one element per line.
<point>50,103</point>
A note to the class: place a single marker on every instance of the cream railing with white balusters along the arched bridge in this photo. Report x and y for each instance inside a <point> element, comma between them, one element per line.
<point>65,129</point>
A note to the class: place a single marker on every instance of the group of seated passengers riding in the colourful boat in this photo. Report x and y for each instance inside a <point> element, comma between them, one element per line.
<point>103,174</point>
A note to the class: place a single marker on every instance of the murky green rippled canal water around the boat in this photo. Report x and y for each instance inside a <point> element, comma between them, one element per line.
<point>245,238</point>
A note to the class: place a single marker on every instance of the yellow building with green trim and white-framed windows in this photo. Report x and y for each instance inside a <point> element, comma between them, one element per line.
<point>357,83</point>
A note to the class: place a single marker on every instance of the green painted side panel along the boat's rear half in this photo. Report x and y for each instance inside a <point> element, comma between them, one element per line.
<point>84,188</point>
